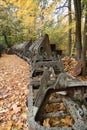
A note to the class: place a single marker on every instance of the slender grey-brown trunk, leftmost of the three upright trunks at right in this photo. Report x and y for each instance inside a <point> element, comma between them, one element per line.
<point>70,30</point>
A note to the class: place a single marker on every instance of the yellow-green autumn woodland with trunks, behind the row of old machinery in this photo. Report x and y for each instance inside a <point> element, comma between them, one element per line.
<point>65,21</point>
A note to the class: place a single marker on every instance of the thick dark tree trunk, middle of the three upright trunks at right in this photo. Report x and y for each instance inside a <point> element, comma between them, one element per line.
<point>78,42</point>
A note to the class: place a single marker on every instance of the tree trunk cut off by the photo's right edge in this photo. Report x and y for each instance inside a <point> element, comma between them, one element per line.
<point>84,46</point>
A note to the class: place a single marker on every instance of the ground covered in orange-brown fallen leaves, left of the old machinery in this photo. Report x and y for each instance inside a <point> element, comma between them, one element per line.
<point>14,80</point>
